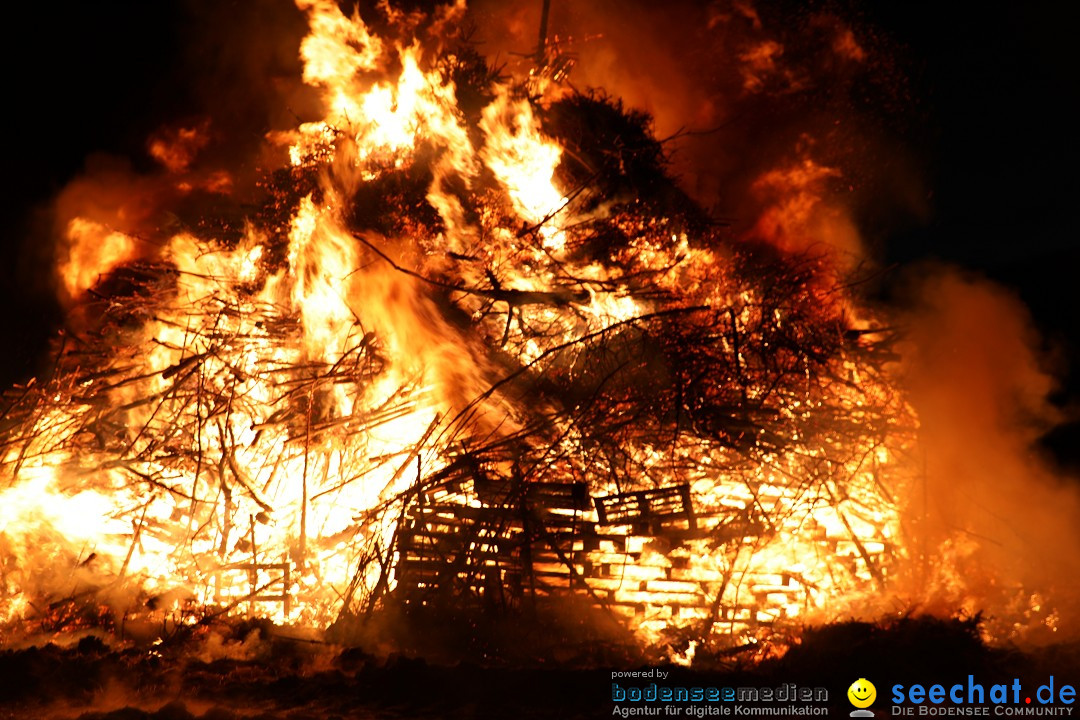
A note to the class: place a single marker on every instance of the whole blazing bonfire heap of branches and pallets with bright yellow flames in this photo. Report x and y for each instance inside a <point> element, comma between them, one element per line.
<point>541,393</point>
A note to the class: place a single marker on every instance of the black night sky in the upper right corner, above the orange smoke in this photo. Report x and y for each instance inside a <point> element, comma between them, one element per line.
<point>1003,157</point>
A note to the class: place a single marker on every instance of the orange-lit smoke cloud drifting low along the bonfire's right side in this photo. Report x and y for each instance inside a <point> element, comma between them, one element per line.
<point>993,521</point>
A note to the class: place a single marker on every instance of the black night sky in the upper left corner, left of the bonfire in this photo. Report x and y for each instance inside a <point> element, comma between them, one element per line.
<point>82,78</point>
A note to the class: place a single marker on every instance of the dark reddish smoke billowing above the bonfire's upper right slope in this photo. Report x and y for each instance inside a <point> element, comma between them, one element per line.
<point>786,123</point>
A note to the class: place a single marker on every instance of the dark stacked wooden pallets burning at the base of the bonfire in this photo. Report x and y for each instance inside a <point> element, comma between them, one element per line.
<point>501,547</point>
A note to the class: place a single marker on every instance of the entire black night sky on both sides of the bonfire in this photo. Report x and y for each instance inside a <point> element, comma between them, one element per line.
<point>995,137</point>
